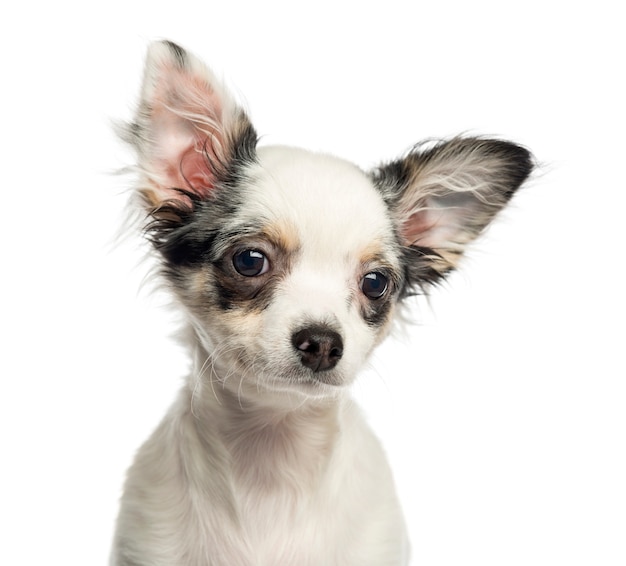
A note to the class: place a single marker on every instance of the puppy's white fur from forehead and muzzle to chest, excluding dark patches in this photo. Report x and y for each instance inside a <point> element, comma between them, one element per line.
<point>248,468</point>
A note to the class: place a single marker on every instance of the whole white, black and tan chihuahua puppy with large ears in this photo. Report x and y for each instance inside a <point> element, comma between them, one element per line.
<point>289,267</point>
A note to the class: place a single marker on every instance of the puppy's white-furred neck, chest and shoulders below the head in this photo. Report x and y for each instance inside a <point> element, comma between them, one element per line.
<point>314,489</point>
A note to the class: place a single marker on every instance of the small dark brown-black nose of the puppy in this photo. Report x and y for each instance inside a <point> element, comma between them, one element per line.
<point>319,347</point>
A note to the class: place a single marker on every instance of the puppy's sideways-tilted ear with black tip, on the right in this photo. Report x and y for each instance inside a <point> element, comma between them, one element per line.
<point>443,196</point>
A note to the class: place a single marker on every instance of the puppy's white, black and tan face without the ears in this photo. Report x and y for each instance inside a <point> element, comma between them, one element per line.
<point>290,276</point>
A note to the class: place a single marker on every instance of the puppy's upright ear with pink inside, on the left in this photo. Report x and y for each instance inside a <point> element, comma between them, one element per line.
<point>189,132</point>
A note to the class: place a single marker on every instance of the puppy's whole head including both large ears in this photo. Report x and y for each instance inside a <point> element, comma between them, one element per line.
<point>289,263</point>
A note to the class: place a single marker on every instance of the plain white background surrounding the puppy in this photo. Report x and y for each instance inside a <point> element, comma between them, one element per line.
<point>503,412</point>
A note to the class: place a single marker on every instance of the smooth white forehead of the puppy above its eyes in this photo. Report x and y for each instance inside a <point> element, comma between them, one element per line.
<point>319,199</point>
